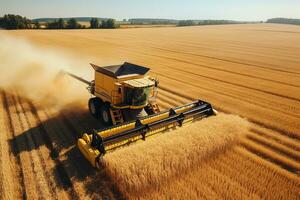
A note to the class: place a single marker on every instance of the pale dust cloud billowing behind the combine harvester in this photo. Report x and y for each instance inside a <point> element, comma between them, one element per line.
<point>34,72</point>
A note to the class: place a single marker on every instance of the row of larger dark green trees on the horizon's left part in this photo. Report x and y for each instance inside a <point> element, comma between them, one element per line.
<point>10,21</point>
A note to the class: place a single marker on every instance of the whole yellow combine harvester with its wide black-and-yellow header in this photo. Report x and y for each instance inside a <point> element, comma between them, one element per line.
<point>124,98</point>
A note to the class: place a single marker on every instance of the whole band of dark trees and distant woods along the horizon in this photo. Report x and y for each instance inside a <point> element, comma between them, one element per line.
<point>10,21</point>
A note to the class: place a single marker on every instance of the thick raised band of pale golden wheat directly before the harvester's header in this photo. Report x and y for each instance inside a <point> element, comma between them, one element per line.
<point>147,166</point>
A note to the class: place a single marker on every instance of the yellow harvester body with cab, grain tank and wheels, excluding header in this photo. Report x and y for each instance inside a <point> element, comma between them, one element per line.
<point>122,93</point>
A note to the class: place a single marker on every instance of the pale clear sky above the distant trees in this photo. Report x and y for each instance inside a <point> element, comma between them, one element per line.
<point>245,10</point>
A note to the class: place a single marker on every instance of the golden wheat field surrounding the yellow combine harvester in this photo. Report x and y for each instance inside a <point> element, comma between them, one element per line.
<point>250,74</point>
